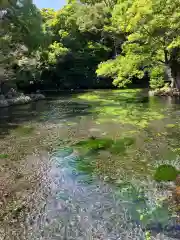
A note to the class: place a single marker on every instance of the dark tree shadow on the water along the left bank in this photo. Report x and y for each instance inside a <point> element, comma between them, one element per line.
<point>51,111</point>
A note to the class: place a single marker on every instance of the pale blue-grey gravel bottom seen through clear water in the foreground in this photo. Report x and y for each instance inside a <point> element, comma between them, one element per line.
<point>71,208</point>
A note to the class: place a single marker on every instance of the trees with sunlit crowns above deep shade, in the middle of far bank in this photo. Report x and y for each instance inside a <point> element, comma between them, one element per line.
<point>76,32</point>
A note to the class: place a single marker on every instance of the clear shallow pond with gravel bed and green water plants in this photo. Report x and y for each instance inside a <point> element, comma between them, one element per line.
<point>83,166</point>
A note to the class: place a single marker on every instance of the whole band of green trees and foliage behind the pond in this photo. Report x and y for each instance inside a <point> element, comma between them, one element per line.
<point>91,43</point>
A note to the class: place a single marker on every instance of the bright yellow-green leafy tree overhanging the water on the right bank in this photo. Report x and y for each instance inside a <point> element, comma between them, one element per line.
<point>152,30</point>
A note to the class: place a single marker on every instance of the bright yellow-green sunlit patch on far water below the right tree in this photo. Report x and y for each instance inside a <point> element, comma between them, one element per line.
<point>124,106</point>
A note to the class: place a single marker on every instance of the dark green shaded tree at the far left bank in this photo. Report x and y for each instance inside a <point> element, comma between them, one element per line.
<point>21,35</point>
